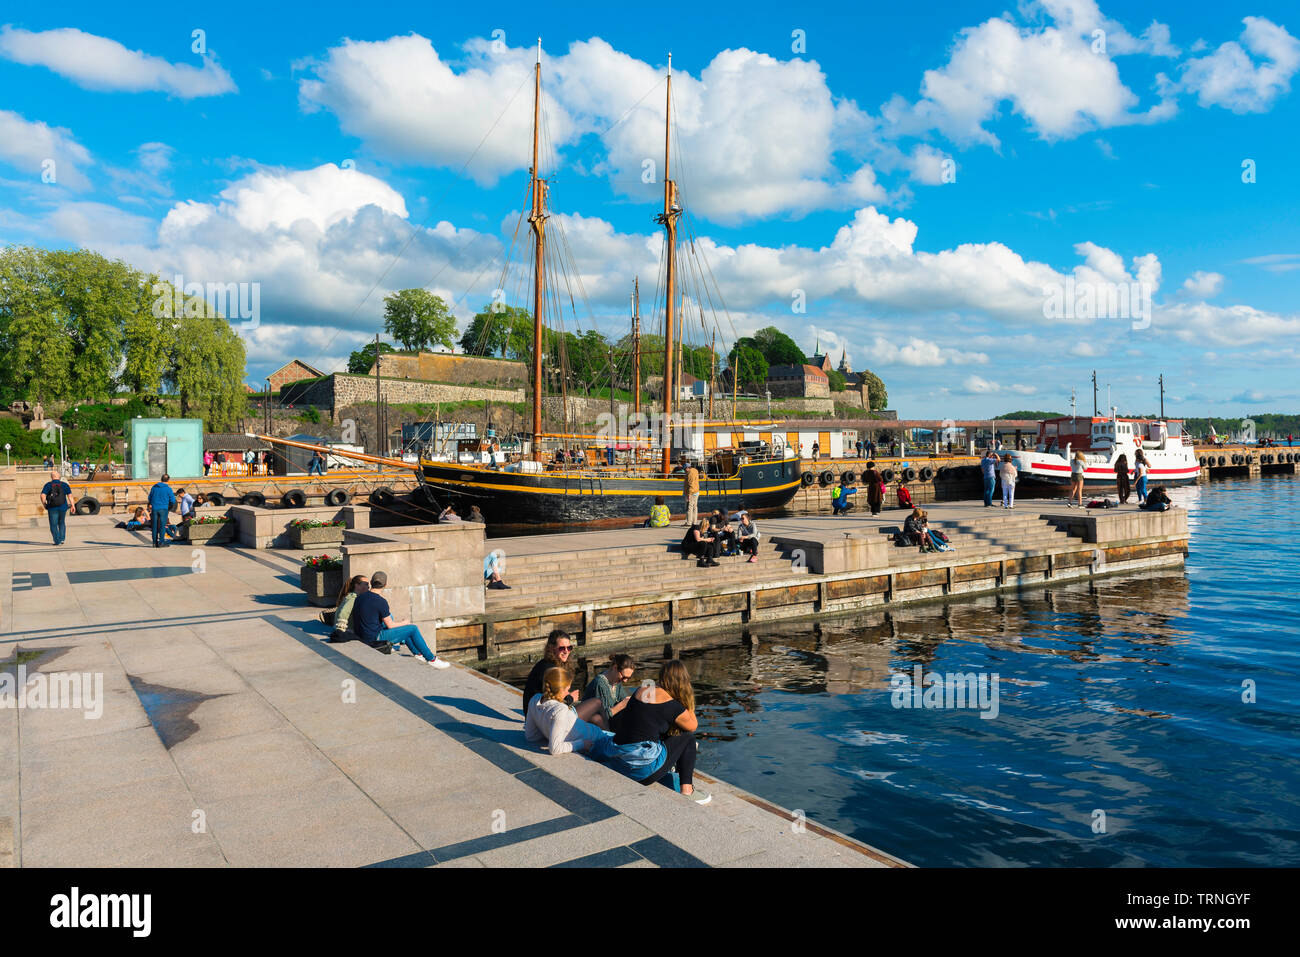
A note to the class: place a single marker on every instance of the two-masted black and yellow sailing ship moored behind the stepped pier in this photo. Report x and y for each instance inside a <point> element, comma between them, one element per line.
<point>543,491</point>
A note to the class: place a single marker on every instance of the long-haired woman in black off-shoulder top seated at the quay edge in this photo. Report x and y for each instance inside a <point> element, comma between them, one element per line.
<point>656,735</point>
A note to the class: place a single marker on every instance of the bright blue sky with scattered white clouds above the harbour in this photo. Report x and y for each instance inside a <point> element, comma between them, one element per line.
<point>981,203</point>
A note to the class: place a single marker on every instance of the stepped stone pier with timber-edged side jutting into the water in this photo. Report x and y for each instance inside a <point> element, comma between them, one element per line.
<point>627,586</point>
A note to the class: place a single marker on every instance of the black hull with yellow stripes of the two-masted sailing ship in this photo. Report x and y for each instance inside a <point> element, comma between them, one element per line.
<point>584,497</point>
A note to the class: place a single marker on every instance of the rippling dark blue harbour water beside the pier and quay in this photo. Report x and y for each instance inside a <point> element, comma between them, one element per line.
<point>1124,699</point>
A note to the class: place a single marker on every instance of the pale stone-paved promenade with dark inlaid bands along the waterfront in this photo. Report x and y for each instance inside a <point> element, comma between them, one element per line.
<point>233,735</point>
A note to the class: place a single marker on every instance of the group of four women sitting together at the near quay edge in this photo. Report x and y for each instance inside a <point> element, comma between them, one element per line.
<point>645,733</point>
